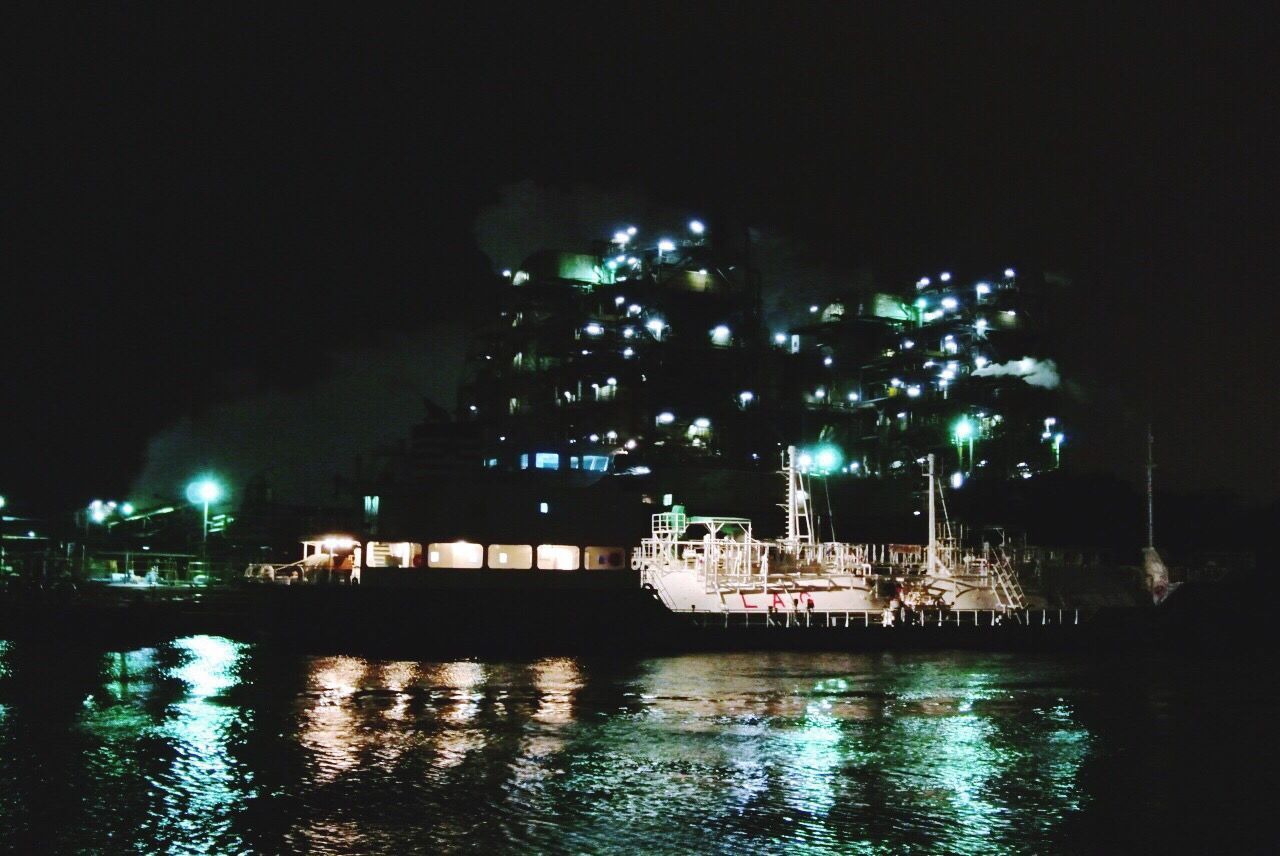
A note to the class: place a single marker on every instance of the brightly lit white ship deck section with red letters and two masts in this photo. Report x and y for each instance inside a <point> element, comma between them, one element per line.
<point>716,566</point>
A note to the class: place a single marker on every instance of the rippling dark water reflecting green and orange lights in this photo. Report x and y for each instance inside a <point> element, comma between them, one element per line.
<point>208,745</point>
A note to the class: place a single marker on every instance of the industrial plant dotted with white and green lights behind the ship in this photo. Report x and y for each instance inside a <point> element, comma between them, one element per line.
<point>642,355</point>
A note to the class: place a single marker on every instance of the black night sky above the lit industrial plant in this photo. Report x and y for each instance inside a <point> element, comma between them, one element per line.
<point>207,208</point>
